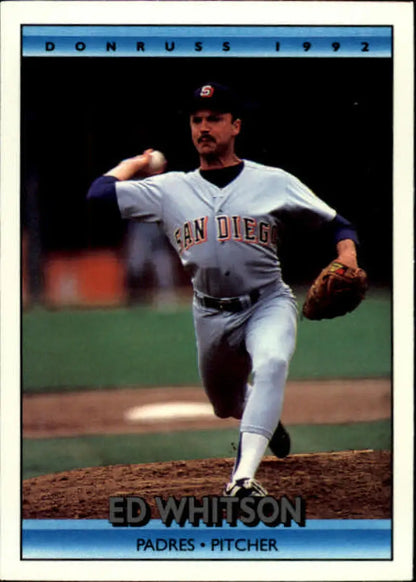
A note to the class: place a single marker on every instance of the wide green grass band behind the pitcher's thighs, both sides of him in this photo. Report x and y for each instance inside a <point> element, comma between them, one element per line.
<point>104,348</point>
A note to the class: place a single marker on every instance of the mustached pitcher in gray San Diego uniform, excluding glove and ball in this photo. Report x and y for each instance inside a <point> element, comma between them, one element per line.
<point>224,220</point>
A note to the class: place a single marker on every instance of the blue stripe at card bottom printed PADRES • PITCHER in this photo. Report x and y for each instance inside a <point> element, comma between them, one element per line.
<point>98,539</point>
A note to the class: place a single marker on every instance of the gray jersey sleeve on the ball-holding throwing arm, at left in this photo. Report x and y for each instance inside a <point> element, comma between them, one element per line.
<point>140,199</point>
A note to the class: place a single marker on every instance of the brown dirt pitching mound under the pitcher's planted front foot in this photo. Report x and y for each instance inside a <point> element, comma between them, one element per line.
<point>344,485</point>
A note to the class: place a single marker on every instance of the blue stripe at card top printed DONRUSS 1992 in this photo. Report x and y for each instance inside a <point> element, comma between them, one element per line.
<point>207,41</point>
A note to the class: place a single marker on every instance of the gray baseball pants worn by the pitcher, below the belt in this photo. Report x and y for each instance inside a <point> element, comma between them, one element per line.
<point>254,345</point>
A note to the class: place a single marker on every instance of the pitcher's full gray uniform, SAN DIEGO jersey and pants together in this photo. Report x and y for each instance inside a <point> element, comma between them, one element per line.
<point>227,239</point>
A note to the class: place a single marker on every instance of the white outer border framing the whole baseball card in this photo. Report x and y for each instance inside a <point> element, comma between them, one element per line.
<point>398,14</point>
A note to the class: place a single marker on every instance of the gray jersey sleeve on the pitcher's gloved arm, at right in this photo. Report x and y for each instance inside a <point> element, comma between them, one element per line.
<point>302,203</point>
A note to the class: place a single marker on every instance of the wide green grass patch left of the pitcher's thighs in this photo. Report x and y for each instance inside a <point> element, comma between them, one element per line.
<point>101,348</point>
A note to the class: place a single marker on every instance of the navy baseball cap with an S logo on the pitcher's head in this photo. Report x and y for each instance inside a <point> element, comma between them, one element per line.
<point>216,97</point>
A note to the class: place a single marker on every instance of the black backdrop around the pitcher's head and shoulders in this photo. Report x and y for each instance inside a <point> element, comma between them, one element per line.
<point>328,121</point>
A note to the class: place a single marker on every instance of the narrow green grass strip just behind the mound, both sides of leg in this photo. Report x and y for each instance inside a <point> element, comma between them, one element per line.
<point>44,456</point>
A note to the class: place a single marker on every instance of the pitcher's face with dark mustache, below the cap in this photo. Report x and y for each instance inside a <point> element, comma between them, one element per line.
<point>213,133</point>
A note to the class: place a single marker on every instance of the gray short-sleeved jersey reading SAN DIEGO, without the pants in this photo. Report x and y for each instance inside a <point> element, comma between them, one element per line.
<point>225,237</point>
